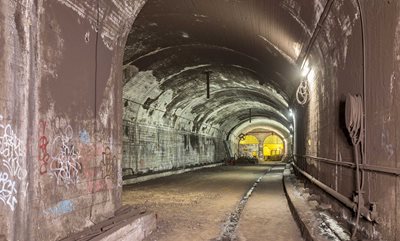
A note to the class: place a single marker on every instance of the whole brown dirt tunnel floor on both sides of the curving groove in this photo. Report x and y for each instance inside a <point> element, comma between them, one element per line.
<point>195,206</point>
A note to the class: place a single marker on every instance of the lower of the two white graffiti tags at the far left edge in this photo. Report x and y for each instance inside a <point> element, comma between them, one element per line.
<point>7,191</point>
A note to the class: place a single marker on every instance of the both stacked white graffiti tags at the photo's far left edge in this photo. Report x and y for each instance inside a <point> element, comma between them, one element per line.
<point>11,155</point>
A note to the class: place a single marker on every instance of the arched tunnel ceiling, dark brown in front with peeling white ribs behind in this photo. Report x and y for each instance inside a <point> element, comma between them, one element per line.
<point>251,48</point>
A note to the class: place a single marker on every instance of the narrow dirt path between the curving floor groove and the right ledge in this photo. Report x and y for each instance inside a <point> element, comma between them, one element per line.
<point>267,215</point>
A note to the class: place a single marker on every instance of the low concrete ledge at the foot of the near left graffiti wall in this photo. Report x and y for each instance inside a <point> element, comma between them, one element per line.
<point>137,228</point>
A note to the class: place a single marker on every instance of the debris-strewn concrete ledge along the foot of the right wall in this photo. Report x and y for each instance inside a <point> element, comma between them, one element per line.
<point>314,224</point>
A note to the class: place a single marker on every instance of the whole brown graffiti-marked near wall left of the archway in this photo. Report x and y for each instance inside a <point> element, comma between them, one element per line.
<point>60,114</point>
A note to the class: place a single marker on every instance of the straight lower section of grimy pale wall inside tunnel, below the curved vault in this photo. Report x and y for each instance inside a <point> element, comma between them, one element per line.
<point>151,148</point>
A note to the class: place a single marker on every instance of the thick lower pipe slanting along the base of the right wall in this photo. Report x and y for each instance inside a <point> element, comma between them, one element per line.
<point>367,214</point>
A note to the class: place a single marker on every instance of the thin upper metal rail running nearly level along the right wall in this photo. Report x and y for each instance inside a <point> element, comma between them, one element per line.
<point>366,167</point>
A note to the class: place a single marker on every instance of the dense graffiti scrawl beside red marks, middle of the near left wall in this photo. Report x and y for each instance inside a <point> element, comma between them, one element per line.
<point>64,165</point>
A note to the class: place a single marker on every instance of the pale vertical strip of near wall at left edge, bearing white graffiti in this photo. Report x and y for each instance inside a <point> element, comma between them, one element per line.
<point>17,68</point>
